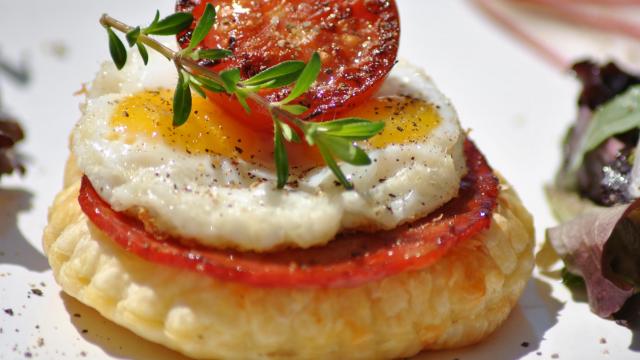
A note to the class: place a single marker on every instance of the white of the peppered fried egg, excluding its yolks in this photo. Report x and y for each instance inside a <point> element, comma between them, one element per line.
<point>223,206</point>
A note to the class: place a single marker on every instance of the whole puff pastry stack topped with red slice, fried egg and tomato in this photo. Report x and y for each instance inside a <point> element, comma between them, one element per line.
<point>182,234</point>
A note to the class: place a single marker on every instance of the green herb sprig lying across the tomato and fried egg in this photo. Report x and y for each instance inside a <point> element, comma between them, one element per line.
<point>335,140</point>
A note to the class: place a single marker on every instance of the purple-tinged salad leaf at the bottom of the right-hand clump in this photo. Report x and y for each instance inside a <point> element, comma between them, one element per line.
<point>602,246</point>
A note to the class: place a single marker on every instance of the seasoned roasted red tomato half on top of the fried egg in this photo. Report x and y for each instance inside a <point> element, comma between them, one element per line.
<point>357,41</point>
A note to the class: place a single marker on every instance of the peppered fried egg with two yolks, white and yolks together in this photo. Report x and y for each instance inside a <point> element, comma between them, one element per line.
<point>212,180</point>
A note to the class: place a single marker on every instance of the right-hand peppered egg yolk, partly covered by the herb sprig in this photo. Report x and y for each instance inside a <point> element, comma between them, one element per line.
<point>407,120</point>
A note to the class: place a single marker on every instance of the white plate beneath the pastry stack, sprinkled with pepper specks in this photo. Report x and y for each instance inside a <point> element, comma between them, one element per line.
<point>516,105</point>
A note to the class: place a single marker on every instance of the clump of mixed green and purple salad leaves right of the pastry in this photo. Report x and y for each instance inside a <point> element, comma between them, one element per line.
<point>596,194</point>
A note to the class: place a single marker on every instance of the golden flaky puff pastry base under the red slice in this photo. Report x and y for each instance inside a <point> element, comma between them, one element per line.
<point>456,302</point>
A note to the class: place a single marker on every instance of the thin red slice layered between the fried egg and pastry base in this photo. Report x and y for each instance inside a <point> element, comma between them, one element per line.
<point>349,260</point>
